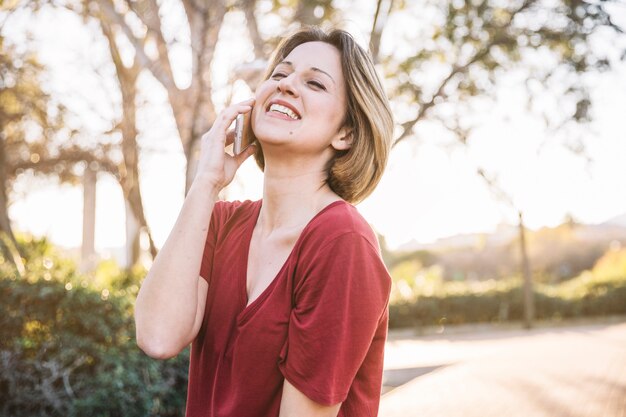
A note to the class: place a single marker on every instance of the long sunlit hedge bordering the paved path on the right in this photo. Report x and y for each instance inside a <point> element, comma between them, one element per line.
<point>427,299</point>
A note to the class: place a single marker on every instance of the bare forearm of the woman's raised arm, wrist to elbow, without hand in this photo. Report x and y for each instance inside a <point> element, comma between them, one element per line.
<point>170,304</point>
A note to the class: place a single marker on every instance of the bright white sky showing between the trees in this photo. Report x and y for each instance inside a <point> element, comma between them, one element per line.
<point>429,191</point>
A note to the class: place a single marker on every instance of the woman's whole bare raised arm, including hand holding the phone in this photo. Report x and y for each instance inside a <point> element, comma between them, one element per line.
<point>170,305</point>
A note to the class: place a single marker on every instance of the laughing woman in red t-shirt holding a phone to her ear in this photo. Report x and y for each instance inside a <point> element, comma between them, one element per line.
<point>284,299</point>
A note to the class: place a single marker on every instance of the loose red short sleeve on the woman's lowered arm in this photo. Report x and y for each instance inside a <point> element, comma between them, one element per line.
<point>339,302</point>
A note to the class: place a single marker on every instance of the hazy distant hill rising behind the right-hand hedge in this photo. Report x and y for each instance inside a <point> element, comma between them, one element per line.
<point>556,253</point>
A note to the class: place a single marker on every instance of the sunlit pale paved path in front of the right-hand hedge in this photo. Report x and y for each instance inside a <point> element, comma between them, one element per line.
<point>577,371</point>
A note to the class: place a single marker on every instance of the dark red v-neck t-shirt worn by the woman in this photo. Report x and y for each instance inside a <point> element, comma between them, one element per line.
<point>321,323</point>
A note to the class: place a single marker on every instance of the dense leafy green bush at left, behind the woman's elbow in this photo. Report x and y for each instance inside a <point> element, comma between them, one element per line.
<point>67,346</point>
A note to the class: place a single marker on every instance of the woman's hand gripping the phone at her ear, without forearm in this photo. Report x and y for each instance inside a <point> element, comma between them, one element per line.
<point>215,165</point>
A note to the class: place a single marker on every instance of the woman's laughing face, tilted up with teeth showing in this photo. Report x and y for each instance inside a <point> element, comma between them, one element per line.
<point>302,105</point>
